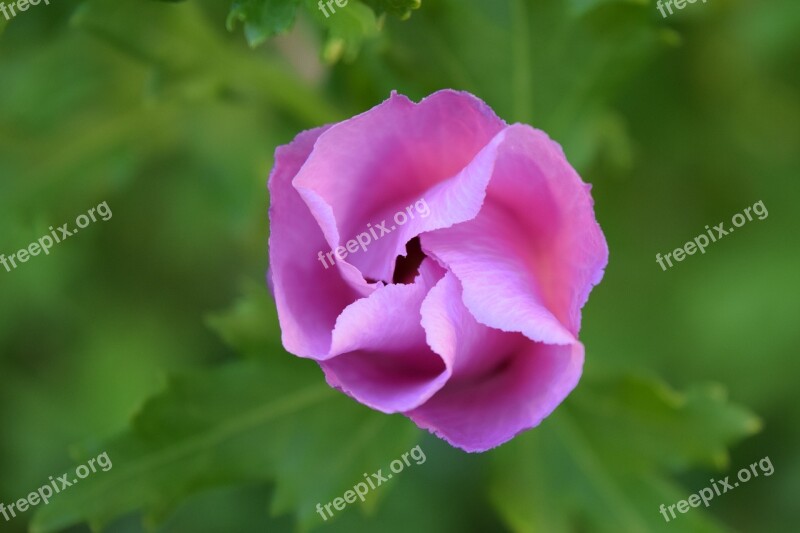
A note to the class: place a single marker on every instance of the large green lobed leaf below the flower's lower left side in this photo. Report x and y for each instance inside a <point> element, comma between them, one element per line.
<point>251,421</point>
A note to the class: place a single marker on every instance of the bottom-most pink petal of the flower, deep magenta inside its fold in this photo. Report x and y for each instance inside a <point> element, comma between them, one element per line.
<point>501,384</point>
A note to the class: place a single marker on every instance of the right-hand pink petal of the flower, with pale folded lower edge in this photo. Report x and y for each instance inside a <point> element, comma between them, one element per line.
<point>528,261</point>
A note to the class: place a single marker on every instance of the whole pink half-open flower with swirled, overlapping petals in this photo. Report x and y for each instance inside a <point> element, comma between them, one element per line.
<point>465,320</point>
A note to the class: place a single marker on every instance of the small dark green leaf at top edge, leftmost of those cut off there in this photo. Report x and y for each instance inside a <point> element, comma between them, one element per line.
<point>262,18</point>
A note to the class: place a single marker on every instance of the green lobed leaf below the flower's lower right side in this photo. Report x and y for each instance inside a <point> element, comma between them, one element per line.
<point>603,461</point>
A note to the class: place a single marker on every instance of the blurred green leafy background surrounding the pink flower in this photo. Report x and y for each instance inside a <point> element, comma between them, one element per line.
<point>151,336</point>
